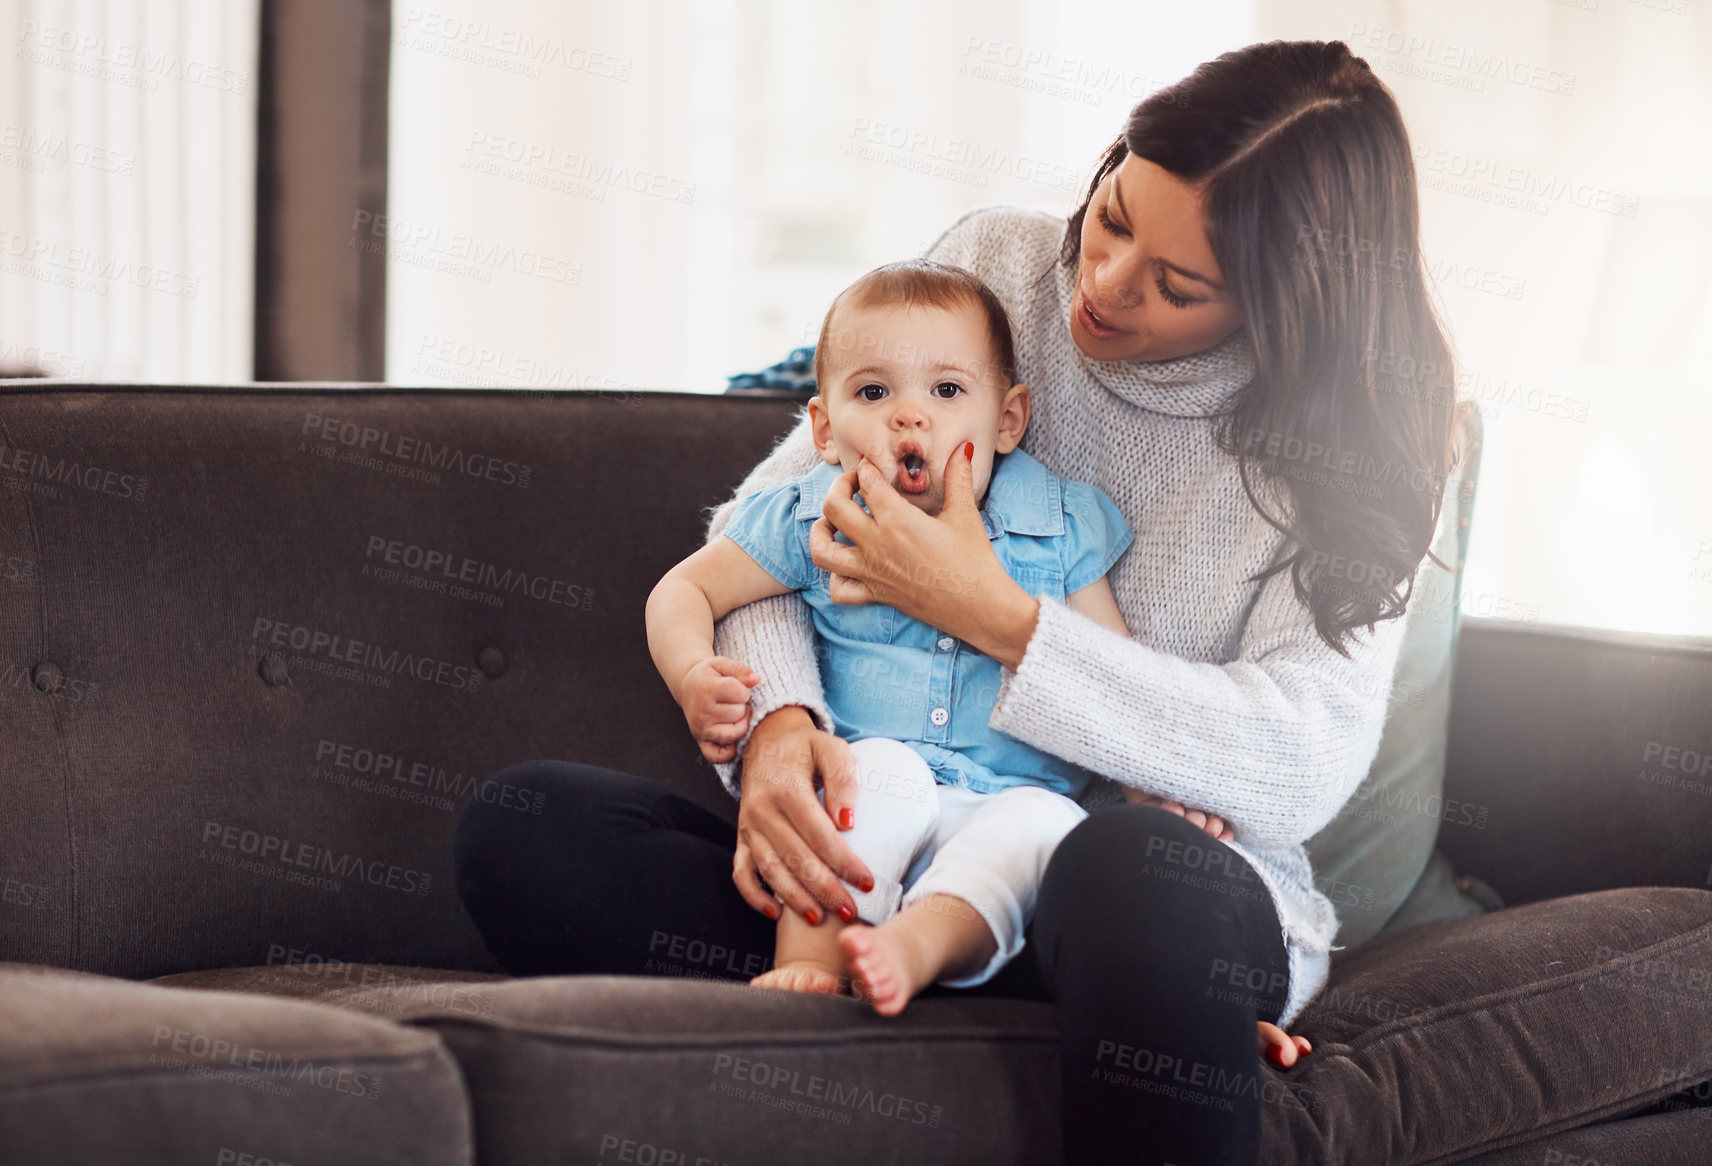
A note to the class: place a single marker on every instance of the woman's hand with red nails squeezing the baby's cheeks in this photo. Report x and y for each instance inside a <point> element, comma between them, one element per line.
<point>939,569</point>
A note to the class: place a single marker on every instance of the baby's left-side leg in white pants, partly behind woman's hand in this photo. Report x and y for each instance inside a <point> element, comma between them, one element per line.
<point>896,814</point>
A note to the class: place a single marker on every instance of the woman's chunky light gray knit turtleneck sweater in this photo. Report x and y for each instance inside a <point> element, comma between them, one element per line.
<point>1225,698</point>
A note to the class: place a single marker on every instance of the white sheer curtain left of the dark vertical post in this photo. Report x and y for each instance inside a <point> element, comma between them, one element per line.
<point>128,189</point>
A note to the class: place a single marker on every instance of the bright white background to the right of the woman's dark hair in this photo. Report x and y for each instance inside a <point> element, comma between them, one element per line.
<point>1567,199</point>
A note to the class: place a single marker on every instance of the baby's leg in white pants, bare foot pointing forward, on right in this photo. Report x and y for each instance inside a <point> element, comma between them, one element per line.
<point>965,917</point>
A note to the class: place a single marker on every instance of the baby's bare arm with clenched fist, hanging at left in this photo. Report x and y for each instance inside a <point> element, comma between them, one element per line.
<point>711,689</point>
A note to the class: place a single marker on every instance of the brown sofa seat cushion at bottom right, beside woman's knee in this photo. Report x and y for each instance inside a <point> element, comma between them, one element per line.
<point>1477,1035</point>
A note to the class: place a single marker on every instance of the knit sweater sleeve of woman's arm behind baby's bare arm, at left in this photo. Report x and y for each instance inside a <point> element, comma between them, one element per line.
<point>776,636</point>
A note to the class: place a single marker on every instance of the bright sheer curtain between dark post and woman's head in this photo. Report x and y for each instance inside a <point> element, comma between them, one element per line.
<point>703,175</point>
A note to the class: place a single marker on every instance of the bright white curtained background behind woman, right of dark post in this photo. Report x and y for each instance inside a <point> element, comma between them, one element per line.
<point>780,148</point>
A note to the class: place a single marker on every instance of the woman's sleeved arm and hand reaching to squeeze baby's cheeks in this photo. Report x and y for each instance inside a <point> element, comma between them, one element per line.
<point>1273,742</point>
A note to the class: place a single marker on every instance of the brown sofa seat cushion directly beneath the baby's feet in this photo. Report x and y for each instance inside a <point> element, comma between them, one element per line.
<point>633,1069</point>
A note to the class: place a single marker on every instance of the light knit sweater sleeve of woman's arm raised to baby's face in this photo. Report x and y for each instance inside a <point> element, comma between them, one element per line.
<point>1273,742</point>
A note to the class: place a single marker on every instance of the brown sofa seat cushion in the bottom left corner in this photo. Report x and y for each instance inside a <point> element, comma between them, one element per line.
<point>98,1071</point>
